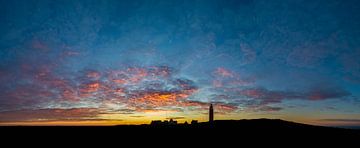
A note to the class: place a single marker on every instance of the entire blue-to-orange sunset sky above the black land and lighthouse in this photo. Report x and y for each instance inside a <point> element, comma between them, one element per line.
<point>107,62</point>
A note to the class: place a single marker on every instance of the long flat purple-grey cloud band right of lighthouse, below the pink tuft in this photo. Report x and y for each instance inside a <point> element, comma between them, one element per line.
<point>255,98</point>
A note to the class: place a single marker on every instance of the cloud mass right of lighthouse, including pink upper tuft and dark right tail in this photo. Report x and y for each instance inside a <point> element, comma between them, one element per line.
<point>230,88</point>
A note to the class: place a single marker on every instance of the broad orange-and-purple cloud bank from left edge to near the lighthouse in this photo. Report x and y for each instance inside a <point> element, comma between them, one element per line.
<point>137,89</point>
